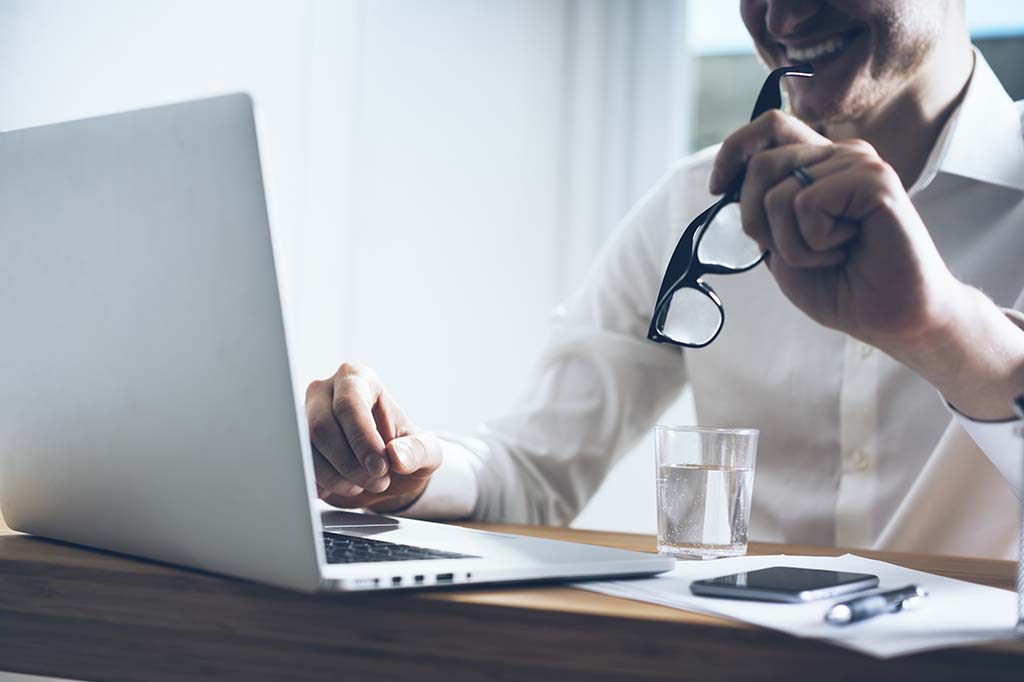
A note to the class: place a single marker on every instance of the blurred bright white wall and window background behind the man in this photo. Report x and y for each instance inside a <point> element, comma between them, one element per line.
<point>440,173</point>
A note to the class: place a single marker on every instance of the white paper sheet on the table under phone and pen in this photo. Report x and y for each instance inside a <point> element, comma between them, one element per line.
<point>955,614</point>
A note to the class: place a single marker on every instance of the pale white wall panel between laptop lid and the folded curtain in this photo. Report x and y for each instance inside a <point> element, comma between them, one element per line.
<point>454,247</point>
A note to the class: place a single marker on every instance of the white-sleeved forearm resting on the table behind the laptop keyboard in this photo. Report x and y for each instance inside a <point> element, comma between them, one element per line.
<point>596,396</point>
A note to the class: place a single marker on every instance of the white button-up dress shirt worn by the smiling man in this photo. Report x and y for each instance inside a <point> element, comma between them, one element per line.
<point>856,450</point>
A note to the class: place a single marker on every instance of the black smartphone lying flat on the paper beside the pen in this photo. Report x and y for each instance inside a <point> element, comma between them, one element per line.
<point>785,584</point>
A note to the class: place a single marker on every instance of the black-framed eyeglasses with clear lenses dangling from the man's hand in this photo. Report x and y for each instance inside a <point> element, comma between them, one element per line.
<point>689,313</point>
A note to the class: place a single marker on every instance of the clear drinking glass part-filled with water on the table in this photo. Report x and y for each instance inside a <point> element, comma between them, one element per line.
<point>705,481</point>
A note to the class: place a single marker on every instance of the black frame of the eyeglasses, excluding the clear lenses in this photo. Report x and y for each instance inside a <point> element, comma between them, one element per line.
<point>686,268</point>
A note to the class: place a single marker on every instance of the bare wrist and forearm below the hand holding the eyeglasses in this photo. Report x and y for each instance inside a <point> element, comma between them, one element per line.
<point>975,360</point>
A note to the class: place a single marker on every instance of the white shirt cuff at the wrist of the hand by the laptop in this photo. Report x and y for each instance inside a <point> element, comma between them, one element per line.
<point>453,489</point>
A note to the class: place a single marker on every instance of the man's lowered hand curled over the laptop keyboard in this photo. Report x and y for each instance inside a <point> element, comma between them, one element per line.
<point>366,452</point>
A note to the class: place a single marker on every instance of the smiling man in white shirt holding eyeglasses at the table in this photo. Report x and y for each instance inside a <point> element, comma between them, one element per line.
<point>847,352</point>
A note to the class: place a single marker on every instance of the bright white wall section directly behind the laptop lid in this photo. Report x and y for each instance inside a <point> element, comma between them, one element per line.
<point>66,59</point>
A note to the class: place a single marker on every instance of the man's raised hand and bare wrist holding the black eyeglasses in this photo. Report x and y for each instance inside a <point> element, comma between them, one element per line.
<point>851,251</point>
